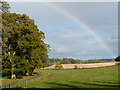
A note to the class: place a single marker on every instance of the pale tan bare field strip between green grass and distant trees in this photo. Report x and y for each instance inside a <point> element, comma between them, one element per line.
<point>93,65</point>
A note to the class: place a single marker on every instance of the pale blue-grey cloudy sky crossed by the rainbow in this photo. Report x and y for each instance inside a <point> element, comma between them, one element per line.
<point>66,36</point>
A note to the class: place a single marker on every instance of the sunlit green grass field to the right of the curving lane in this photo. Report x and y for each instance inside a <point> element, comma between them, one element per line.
<point>104,77</point>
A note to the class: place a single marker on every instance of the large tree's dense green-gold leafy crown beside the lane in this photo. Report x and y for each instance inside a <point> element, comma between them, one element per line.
<point>23,45</point>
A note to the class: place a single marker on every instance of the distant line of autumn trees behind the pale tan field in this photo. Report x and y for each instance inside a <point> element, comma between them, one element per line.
<point>52,61</point>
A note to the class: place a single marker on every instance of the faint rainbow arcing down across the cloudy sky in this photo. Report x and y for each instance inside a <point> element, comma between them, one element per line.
<point>85,27</point>
